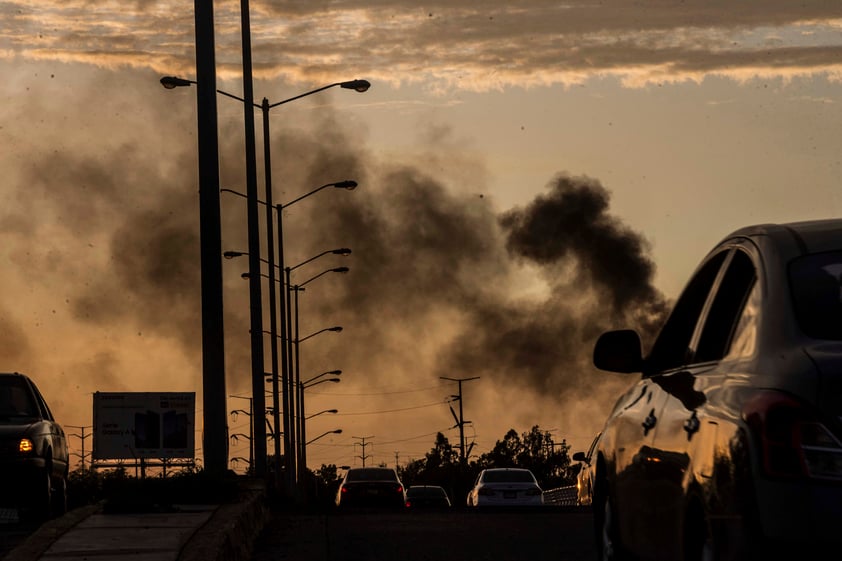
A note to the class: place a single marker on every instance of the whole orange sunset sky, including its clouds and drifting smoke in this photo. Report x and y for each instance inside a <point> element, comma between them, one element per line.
<point>530,174</point>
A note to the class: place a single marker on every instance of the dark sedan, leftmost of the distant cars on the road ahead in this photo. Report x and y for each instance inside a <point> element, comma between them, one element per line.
<point>371,487</point>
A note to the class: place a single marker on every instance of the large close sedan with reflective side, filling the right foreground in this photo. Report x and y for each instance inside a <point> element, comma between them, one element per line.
<point>729,444</point>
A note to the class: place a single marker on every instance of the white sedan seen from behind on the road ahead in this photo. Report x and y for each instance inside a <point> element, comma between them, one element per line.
<point>505,487</point>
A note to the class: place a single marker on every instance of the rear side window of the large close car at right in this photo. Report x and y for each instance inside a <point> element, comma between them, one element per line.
<point>726,308</point>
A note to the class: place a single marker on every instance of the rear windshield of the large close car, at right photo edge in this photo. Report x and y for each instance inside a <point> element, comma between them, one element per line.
<point>815,281</point>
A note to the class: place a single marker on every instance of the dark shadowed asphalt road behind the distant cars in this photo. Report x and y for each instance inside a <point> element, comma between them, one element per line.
<point>557,533</point>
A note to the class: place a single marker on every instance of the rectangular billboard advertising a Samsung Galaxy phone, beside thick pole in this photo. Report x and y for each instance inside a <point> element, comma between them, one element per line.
<point>133,425</point>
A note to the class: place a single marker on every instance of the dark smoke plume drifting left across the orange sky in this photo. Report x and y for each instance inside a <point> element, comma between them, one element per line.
<point>436,286</point>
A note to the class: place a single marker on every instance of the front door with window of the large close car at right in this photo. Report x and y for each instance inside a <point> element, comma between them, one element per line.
<point>640,490</point>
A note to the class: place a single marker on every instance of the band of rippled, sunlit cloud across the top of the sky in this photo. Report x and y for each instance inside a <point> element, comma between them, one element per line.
<point>469,45</point>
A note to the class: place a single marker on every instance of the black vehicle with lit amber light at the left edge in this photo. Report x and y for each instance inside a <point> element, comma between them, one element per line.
<point>33,452</point>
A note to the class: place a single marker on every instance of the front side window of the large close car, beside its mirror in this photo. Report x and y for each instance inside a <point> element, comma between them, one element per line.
<point>672,347</point>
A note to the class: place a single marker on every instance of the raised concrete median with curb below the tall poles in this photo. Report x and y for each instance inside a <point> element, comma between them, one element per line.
<point>223,532</point>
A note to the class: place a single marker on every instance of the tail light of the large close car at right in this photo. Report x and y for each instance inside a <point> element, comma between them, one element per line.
<point>794,443</point>
